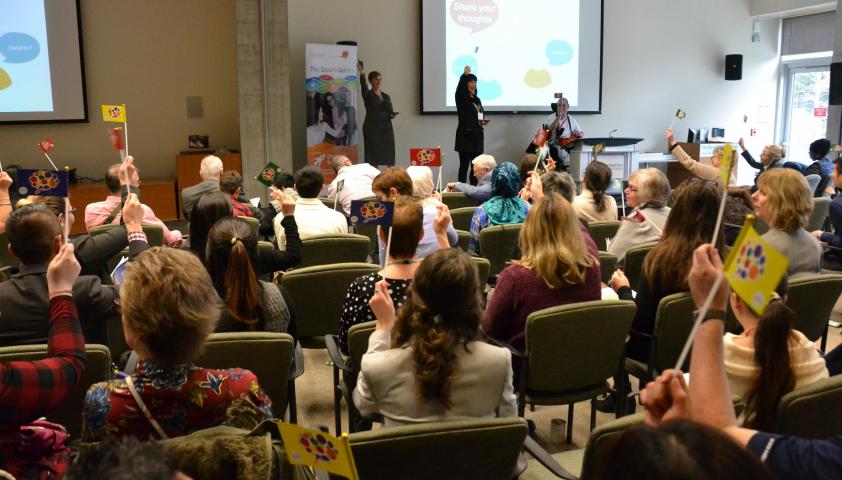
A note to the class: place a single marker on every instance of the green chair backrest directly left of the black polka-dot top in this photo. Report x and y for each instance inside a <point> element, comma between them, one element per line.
<point>318,294</point>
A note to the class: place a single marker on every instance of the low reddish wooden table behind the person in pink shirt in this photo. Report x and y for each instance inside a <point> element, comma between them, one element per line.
<point>158,194</point>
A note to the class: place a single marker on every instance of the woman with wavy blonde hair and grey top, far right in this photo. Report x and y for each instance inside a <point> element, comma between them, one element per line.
<point>784,201</point>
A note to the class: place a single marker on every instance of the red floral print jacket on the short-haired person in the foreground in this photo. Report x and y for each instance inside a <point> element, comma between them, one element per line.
<point>182,399</point>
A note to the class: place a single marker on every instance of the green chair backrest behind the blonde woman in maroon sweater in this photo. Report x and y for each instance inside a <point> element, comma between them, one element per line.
<point>578,345</point>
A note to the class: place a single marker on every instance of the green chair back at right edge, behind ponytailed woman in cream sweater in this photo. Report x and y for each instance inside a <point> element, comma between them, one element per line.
<point>808,411</point>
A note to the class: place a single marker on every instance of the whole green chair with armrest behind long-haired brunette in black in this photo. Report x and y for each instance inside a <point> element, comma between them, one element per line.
<point>673,322</point>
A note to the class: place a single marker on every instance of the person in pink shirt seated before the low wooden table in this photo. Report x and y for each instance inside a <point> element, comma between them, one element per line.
<point>108,211</point>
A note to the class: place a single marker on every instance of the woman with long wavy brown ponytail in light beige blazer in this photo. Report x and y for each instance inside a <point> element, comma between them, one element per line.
<point>430,364</point>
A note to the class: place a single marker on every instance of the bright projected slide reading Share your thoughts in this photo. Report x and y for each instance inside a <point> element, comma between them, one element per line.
<point>518,56</point>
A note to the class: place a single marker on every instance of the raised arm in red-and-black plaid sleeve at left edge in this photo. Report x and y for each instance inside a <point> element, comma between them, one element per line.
<point>29,389</point>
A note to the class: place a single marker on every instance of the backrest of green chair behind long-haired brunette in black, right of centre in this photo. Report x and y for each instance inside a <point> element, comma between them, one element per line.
<point>673,322</point>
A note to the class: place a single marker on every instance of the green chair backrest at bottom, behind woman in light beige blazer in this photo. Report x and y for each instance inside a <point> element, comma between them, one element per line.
<point>481,448</point>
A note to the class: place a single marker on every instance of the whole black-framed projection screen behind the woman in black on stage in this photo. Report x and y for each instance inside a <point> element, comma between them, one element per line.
<point>522,52</point>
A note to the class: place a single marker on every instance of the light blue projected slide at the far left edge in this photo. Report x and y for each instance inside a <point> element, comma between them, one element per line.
<point>25,84</point>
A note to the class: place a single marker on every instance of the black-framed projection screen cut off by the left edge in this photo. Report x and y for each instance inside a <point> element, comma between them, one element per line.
<point>42,76</point>
